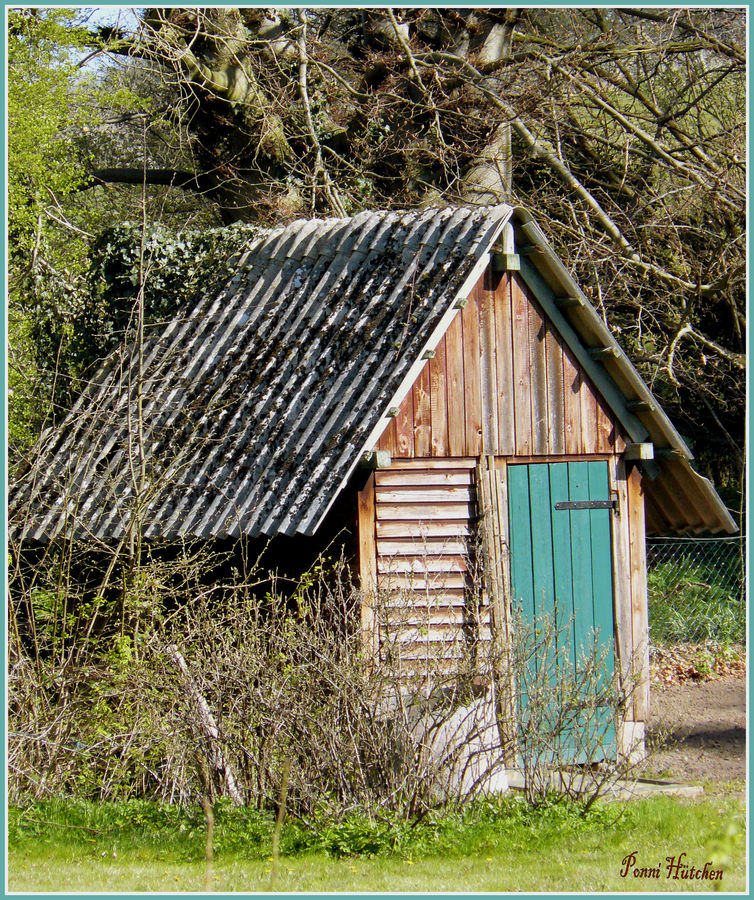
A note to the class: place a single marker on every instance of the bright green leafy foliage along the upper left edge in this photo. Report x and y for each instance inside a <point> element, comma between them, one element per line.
<point>52,104</point>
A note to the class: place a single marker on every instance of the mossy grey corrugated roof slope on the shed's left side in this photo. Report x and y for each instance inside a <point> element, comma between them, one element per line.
<point>258,403</point>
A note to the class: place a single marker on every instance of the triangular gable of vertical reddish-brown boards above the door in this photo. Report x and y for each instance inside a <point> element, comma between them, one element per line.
<point>502,382</point>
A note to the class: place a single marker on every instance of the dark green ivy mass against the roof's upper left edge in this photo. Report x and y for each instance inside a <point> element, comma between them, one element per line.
<point>71,328</point>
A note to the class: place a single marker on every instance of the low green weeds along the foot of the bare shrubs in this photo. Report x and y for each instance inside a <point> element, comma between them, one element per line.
<point>246,833</point>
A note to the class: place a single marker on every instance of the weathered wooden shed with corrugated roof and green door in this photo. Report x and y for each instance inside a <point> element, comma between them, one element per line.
<point>449,352</point>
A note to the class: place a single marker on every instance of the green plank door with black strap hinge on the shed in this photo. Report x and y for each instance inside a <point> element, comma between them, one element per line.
<point>562,584</point>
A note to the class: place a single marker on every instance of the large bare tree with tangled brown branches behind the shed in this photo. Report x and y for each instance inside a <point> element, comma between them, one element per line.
<point>623,130</point>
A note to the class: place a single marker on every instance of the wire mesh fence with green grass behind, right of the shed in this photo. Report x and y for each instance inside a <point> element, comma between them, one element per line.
<point>696,590</point>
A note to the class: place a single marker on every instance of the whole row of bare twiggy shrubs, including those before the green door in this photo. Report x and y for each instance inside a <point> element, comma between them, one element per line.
<point>222,693</point>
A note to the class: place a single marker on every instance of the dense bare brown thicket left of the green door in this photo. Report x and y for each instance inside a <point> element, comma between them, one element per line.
<point>218,695</point>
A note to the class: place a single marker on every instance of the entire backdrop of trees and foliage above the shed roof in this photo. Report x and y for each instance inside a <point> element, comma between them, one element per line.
<point>622,130</point>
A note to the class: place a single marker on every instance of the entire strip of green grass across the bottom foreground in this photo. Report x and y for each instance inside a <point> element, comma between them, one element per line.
<point>496,846</point>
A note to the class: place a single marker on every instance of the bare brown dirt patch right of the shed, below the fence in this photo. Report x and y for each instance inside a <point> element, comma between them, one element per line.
<point>697,729</point>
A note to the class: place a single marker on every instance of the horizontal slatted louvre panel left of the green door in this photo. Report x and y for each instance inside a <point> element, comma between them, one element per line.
<point>425,522</point>
